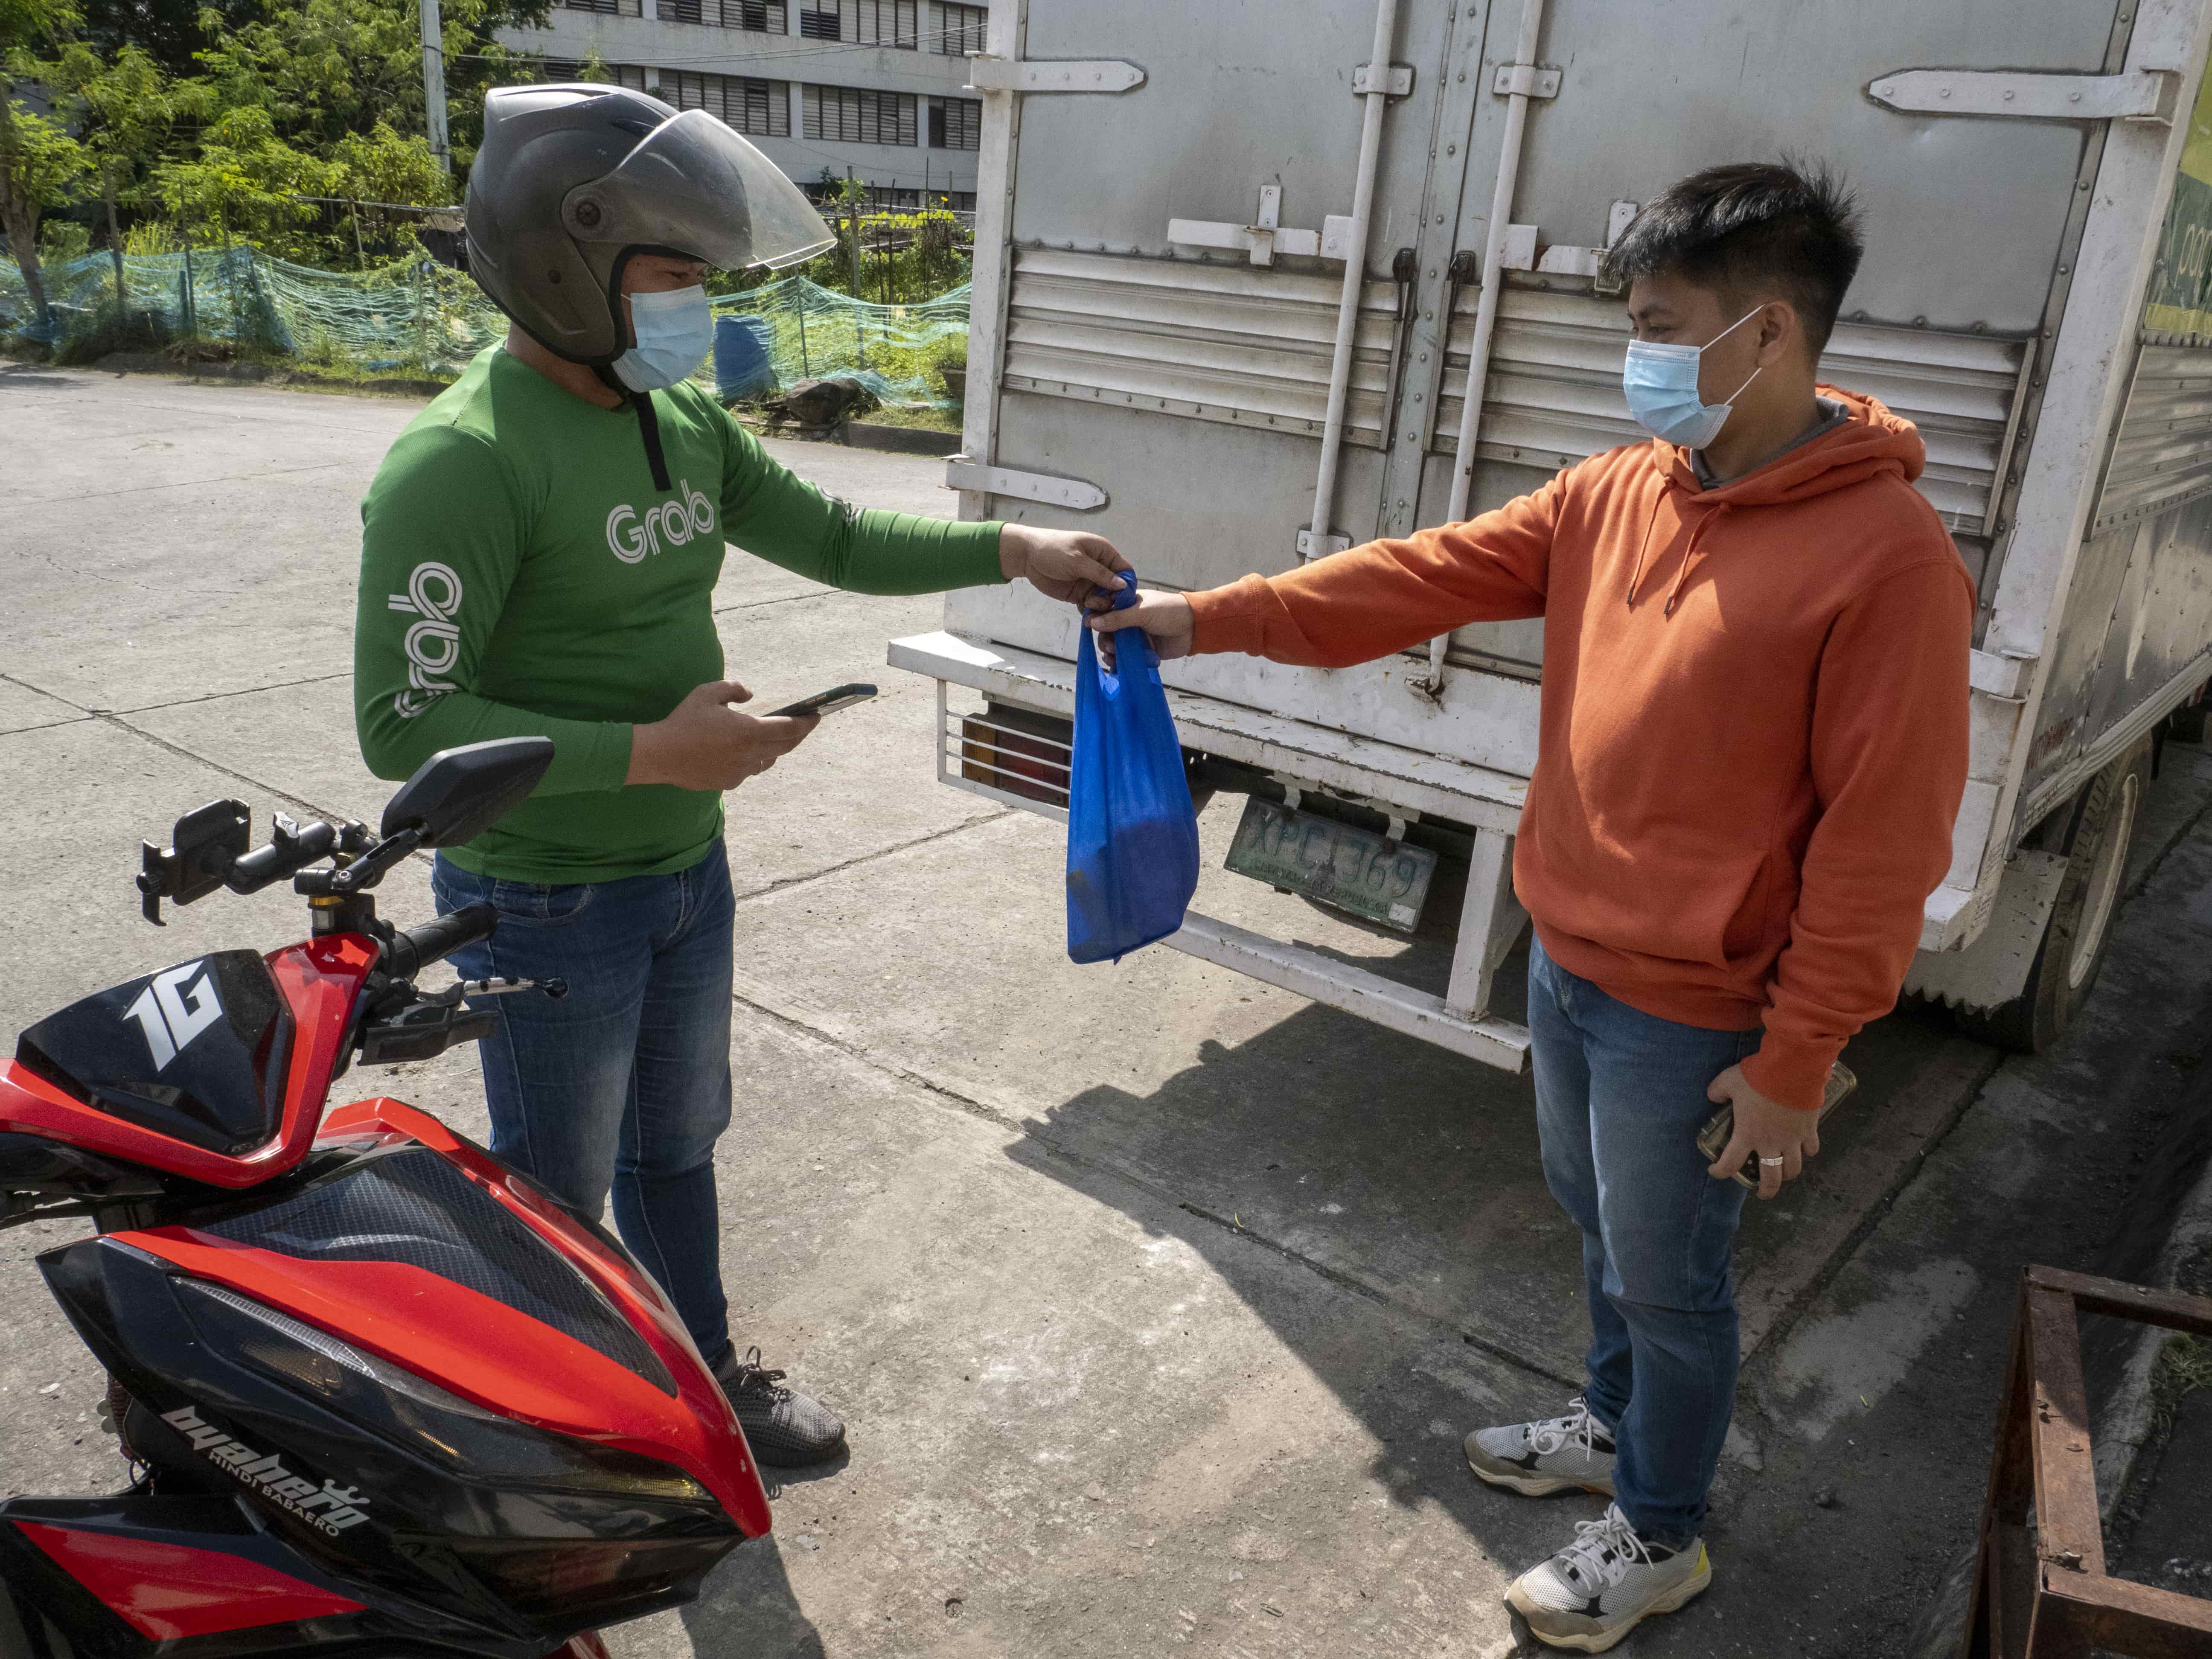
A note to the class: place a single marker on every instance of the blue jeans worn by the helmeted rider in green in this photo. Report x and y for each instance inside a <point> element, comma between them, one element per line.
<point>625,1083</point>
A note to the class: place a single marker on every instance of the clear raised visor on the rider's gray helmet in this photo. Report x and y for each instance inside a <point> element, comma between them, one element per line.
<point>705,191</point>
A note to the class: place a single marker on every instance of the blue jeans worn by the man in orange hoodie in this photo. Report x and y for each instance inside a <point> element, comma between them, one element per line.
<point>1620,1098</point>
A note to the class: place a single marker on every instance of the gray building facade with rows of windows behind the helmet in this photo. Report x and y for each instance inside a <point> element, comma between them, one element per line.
<point>822,87</point>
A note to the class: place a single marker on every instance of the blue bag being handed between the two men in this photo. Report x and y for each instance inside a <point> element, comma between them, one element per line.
<point>1134,835</point>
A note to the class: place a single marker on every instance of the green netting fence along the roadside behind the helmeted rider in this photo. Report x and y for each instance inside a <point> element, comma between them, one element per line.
<point>421,317</point>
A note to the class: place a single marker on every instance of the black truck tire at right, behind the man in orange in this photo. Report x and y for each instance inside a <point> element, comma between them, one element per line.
<point>2094,837</point>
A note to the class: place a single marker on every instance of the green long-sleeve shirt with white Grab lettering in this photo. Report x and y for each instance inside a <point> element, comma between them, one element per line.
<point>521,576</point>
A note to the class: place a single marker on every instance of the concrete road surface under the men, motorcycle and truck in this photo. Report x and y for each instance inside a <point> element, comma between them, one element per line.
<point>1158,1300</point>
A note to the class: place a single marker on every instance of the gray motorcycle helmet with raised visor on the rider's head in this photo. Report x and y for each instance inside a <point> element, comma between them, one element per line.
<point>576,178</point>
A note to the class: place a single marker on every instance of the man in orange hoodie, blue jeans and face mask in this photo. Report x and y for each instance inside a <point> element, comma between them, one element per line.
<point>1753,749</point>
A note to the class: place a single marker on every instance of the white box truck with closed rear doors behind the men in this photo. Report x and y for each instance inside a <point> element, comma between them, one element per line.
<point>1240,264</point>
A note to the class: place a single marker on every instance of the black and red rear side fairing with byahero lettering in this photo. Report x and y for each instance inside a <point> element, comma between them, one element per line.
<point>501,1534</point>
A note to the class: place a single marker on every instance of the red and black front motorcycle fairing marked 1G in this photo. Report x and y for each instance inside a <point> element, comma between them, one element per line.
<point>320,983</point>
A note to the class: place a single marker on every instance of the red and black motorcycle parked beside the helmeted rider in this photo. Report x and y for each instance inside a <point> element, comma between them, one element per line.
<point>382,1392</point>
